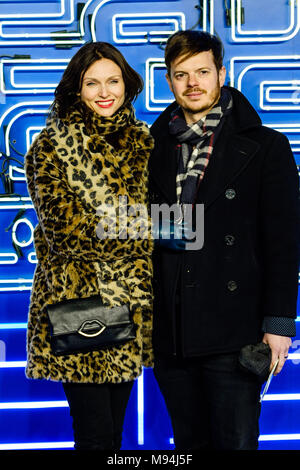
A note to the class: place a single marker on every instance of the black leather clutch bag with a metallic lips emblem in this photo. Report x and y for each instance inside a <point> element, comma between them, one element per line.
<point>82,325</point>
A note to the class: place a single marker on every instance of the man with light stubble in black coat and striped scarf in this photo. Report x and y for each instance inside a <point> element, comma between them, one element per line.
<point>241,287</point>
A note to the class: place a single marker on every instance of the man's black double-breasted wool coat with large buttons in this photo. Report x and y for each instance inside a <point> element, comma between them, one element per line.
<point>248,266</point>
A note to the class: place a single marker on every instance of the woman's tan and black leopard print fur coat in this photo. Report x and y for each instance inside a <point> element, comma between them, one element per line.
<point>72,169</point>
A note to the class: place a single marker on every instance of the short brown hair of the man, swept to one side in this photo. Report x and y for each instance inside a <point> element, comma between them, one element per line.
<point>189,42</point>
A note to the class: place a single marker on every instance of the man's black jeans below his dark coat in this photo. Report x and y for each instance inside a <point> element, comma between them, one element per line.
<point>211,402</point>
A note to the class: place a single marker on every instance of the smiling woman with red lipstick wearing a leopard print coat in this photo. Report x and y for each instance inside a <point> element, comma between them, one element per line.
<point>91,153</point>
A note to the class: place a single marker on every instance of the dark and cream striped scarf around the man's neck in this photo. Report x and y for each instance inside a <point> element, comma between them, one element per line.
<point>195,146</point>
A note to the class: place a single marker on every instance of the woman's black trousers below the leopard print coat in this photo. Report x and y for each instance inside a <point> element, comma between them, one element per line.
<point>98,412</point>
